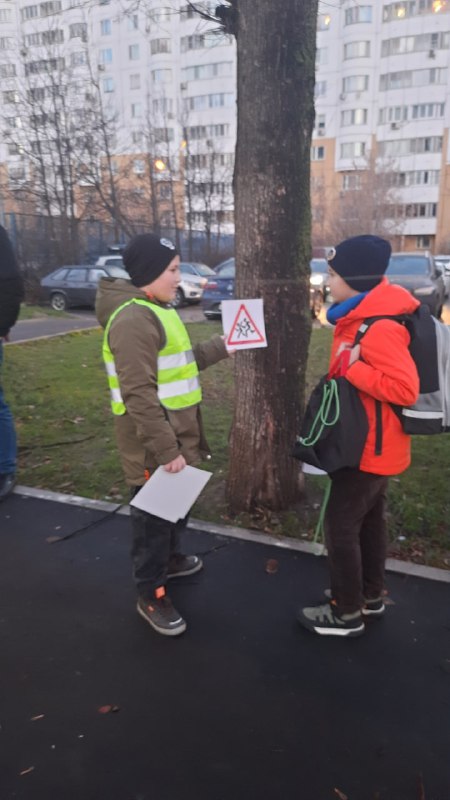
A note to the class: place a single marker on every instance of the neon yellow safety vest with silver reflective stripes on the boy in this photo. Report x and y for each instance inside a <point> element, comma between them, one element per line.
<point>178,381</point>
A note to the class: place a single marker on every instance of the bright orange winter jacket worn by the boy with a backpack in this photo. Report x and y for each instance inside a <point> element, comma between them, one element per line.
<point>385,371</point>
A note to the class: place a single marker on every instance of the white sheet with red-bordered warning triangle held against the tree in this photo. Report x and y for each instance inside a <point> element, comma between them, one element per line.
<point>243,324</point>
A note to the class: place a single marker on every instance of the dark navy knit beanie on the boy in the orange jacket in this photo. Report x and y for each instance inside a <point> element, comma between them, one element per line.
<point>361,261</point>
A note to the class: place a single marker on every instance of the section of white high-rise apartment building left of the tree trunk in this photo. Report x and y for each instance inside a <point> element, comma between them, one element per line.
<point>147,85</point>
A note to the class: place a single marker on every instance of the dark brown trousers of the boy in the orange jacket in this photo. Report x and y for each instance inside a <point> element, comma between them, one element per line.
<point>356,537</point>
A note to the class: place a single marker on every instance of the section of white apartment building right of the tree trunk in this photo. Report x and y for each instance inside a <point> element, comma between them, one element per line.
<point>382,119</point>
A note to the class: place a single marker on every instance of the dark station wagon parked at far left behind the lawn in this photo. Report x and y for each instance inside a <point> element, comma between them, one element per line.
<point>76,284</point>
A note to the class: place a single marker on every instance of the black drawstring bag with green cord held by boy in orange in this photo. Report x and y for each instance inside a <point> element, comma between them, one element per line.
<point>334,428</point>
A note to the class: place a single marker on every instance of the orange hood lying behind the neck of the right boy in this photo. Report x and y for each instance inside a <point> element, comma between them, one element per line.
<point>384,300</point>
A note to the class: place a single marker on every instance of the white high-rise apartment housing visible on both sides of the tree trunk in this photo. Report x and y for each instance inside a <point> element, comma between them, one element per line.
<point>166,82</point>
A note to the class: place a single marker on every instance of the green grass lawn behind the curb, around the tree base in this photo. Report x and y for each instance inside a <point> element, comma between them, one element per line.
<point>58,391</point>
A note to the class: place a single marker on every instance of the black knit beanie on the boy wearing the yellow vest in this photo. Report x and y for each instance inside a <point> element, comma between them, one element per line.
<point>146,256</point>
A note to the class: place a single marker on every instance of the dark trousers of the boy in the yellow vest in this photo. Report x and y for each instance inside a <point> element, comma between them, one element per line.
<point>154,540</point>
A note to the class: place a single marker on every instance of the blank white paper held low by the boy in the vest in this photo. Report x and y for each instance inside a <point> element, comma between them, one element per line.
<point>171,495</point>
